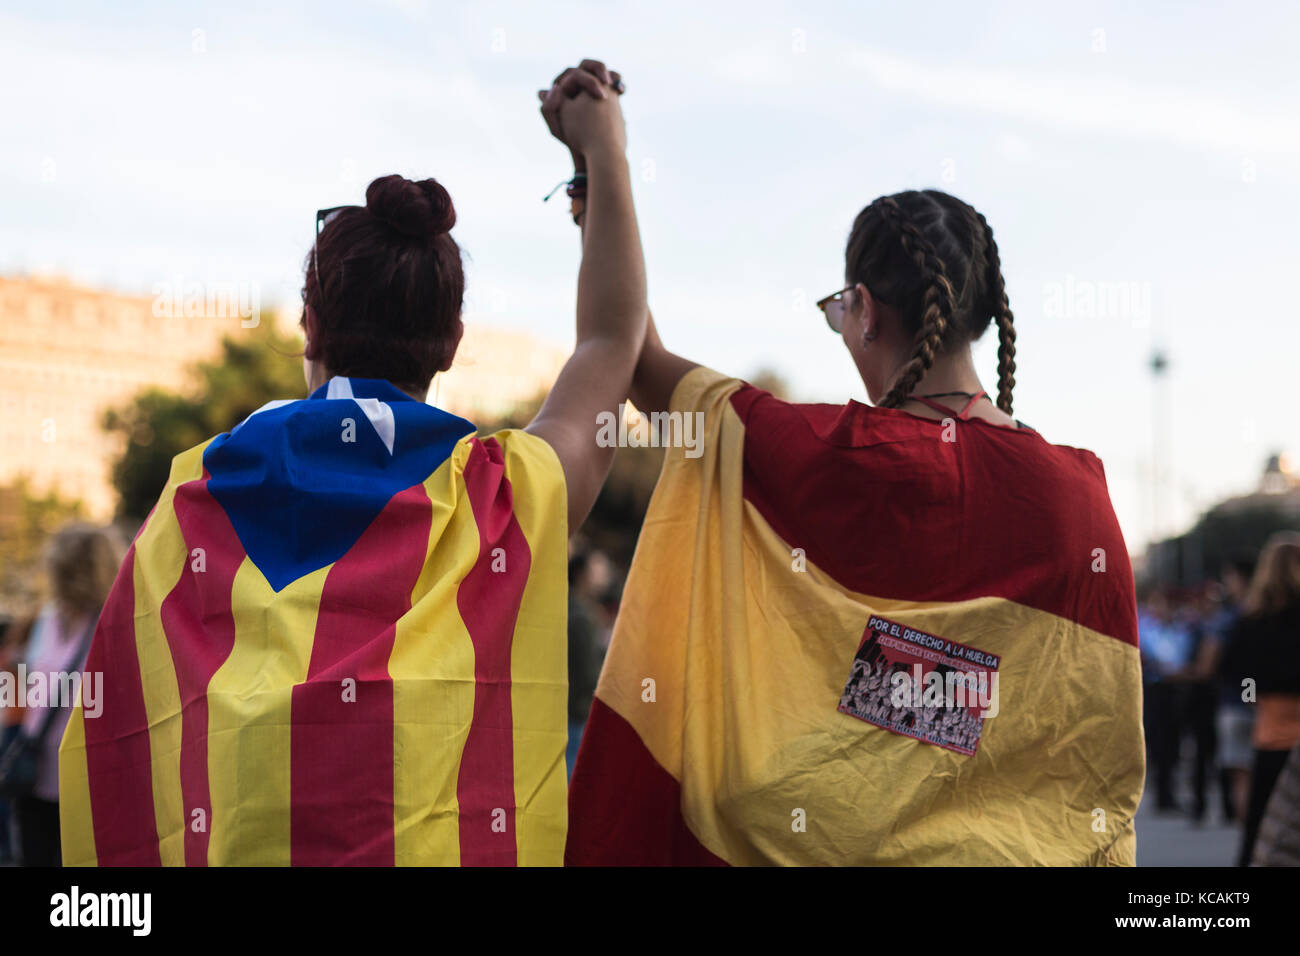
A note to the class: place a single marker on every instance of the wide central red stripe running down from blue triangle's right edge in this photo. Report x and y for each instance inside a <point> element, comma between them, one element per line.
<point>341,765</point>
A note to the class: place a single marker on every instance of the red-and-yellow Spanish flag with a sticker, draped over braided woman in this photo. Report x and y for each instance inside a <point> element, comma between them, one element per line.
<point>852,635</point>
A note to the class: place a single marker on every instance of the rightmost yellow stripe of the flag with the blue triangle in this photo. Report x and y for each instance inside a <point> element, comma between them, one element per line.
<point>539,655</point>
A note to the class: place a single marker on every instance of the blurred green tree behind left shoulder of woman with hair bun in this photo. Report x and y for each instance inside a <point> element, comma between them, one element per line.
<point>159,425</point>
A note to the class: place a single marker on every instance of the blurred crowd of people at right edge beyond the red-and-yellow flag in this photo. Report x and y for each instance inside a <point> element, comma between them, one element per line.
<point>1221,682</point>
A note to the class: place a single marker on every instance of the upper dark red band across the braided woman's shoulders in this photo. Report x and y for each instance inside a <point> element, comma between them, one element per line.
<point>878,500</point>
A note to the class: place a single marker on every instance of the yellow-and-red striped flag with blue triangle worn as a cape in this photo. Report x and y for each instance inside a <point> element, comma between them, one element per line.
<point>339,639</point>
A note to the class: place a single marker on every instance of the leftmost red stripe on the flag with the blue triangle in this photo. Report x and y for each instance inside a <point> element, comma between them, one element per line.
<point>118,742</point>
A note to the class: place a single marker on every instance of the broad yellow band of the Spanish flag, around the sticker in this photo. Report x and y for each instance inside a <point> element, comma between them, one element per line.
<point>759,655</point>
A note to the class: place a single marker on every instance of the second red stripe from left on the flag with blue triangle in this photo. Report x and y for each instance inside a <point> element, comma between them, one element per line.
<point>201,634</point>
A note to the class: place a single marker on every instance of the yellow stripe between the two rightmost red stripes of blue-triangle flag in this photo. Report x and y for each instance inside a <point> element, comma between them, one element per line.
<point>432,667</point>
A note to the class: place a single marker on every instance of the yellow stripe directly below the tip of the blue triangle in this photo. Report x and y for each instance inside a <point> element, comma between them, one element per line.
<point>250,715</point>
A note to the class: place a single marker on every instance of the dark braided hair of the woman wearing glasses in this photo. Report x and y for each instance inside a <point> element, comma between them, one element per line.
<point>934,258</point>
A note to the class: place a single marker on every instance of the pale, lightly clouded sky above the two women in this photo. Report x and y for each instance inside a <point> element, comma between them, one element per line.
<point>1141,170</point>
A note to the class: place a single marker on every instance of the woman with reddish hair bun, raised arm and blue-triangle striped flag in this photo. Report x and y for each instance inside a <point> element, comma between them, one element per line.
<point>341,635</point>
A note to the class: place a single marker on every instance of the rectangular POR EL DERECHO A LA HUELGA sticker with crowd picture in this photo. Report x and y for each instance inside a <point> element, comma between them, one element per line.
<point>922,686</point>
